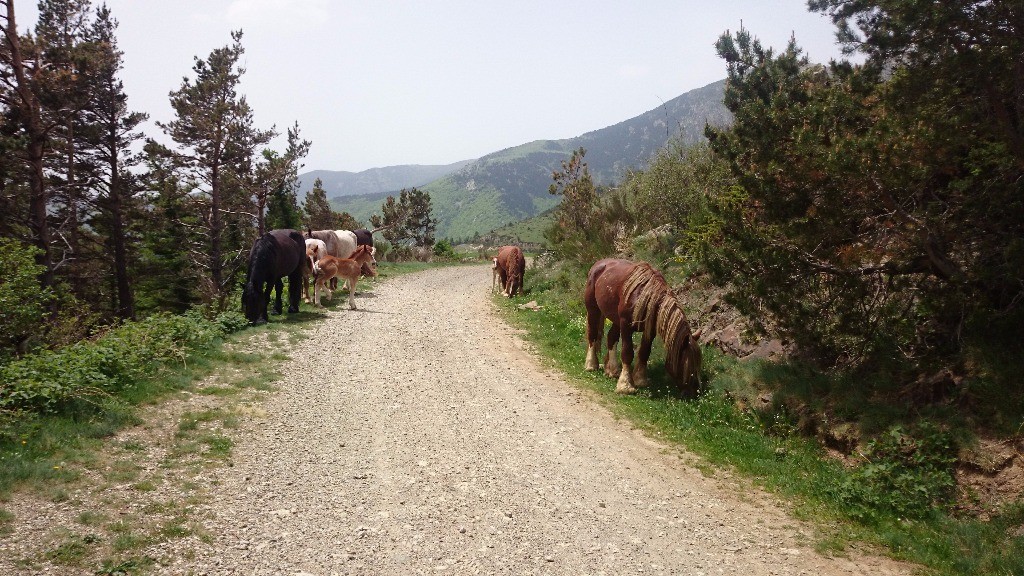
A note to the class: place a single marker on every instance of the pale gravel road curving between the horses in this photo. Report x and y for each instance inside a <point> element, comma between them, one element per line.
<point>418,436</point>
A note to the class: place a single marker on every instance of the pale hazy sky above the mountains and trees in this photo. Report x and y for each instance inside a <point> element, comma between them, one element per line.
<point>381,84</point>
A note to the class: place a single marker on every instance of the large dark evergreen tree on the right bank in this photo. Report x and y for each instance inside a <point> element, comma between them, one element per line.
<point>874,221</point>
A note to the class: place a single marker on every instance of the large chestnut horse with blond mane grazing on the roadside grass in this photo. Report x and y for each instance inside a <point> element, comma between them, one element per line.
<point>636,299</point>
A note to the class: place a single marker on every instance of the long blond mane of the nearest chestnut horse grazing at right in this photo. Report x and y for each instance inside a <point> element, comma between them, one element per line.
<point>657,309</point>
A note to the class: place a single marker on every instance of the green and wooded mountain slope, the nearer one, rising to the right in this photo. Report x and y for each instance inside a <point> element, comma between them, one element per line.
<point>513,185</point>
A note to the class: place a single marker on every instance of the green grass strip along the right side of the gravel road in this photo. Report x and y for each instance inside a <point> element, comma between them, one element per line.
<point>767,448</point>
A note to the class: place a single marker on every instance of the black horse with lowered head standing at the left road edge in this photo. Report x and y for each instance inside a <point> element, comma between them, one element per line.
<point>275,256</point>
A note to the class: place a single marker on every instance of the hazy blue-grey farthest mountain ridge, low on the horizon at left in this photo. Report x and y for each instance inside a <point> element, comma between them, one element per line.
<point>375,181</point>
